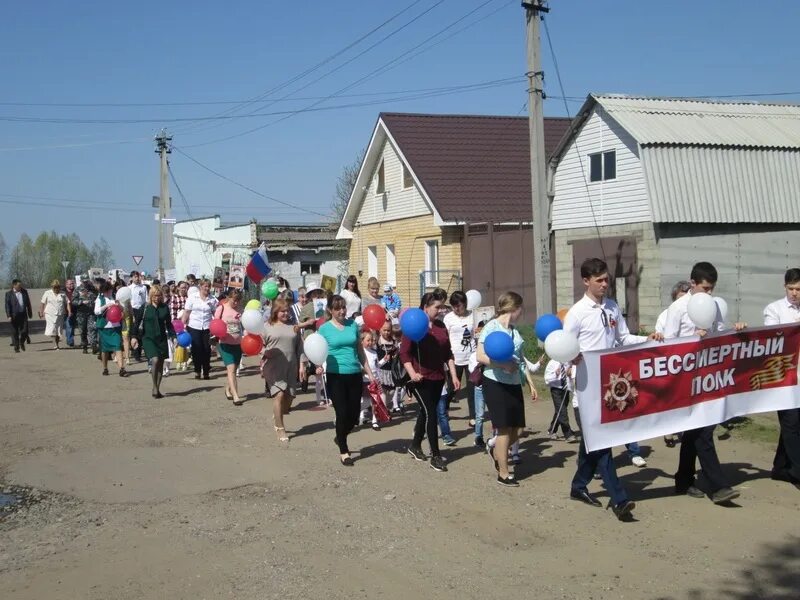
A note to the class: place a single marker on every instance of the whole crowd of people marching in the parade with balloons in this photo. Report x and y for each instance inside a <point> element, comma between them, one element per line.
<point>373,372</point>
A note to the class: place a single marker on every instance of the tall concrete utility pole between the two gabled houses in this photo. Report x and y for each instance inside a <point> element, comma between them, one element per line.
<point>540,201</point>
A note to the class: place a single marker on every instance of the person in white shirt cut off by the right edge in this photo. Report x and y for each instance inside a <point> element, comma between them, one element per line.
<point>786,466</point>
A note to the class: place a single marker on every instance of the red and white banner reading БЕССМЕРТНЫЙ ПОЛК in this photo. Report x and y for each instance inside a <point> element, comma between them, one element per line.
<point>658,388</point>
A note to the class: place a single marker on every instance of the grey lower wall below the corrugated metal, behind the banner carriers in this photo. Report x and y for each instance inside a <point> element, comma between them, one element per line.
<point>751,261</point>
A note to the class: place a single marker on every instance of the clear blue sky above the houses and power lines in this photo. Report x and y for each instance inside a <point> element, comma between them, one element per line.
<point>201,51</point>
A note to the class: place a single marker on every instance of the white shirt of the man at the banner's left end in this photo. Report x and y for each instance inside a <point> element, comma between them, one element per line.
<point>599,326</point>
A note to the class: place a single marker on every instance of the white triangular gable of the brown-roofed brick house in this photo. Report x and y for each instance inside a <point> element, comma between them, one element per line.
<point>396,202</point>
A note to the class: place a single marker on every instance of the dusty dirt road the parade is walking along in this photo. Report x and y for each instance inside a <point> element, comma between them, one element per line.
<point>190,497</point>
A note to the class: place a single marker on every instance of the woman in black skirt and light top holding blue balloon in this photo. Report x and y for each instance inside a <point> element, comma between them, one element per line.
<point>502,384</point>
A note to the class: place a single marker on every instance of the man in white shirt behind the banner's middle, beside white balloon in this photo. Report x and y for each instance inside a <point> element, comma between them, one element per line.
<point>698,444</point>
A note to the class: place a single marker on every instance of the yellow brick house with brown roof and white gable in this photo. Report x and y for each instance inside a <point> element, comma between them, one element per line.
<point>445,200</point>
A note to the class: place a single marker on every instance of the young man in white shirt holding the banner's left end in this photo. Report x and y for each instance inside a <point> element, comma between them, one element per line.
<point>598,324</point>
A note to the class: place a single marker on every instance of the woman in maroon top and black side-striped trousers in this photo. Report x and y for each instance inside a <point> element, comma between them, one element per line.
<point>425,362</point>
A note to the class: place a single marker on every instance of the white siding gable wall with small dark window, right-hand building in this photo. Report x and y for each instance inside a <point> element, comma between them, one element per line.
<point>613,202</point>
